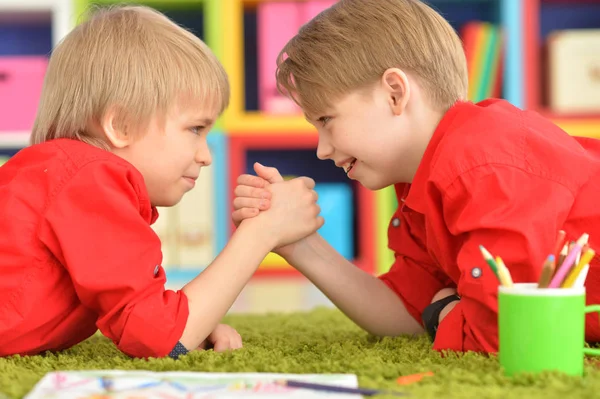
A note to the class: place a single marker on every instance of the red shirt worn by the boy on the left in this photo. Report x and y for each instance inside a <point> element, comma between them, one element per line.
<point>78,254</point>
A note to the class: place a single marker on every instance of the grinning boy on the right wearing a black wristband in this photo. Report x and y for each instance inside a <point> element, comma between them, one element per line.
<point>385,83</point>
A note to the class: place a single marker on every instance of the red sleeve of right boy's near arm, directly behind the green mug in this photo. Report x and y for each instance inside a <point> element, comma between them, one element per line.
<point>513,214</point>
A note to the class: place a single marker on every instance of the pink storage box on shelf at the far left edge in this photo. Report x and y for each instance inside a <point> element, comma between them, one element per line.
<point>21,81</point>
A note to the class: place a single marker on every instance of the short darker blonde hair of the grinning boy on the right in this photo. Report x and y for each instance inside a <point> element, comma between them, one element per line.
<point>350,45</point>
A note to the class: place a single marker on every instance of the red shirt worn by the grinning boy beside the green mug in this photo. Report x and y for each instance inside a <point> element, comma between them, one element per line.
<point>506,179</point>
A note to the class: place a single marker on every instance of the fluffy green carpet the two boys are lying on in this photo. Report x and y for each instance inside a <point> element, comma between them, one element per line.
<point>322,341</point>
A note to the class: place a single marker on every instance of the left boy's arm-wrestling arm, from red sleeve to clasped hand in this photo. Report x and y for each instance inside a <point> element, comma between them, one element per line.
<point>113,257</point>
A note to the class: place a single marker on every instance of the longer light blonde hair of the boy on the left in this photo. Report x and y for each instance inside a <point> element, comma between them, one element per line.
<point>132,58</point>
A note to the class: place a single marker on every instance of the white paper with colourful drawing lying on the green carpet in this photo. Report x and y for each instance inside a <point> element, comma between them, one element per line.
<point>117,384</point>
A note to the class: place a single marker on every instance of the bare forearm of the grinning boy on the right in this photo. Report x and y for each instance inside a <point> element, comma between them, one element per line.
<point>364,298</point>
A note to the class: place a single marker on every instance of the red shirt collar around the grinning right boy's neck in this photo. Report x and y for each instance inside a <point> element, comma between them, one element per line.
<point>416,192</point>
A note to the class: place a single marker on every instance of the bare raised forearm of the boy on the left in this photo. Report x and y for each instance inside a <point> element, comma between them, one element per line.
<point>211,294</point>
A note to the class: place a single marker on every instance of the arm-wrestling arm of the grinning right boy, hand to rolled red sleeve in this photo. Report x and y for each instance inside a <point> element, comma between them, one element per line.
<point>389,305</point>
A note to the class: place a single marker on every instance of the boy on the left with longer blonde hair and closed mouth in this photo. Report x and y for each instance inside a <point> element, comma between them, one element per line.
<point>128,100</point>
